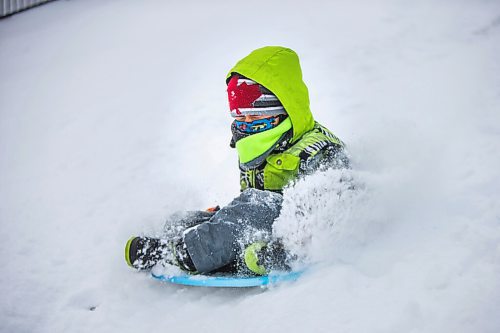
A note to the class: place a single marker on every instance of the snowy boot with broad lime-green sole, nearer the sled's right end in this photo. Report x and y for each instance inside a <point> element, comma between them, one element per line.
<point>261,258</point>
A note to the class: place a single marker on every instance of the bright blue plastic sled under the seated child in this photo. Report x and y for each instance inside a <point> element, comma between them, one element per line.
<point>230,281</point>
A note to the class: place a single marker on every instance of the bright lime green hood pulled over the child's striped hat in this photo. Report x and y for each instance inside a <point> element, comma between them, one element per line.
<point>278,69</point>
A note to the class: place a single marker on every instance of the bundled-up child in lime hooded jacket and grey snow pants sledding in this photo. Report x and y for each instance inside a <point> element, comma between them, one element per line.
<point>277,141</point>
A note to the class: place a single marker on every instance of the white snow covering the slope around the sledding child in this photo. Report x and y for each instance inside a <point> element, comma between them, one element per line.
<point>113,115</point>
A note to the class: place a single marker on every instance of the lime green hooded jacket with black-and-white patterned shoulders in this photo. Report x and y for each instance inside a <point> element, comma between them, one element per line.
<point>278,69</point>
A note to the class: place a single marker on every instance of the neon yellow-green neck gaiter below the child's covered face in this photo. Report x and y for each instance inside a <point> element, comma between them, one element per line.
<point>255,145</point>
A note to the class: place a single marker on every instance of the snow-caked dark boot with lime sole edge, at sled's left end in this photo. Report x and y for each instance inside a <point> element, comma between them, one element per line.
<point>144,252</point>
